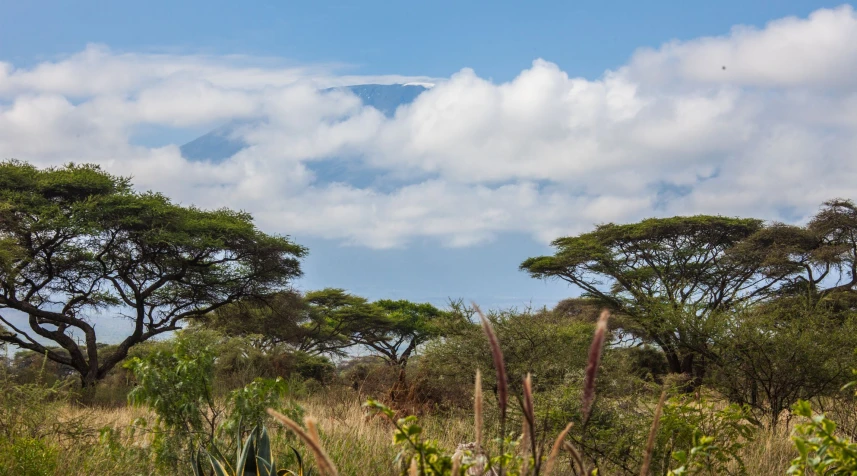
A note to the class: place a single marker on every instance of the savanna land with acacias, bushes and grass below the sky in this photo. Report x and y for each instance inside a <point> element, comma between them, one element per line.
<point>699,345</point>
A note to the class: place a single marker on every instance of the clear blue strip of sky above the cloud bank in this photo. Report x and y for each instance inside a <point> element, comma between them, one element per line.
<point>498,39</point>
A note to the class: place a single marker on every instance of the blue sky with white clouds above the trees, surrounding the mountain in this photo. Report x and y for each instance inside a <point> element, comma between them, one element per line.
<point>546,118</point>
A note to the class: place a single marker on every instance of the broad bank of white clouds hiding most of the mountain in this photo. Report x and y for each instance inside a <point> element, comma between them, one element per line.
<point>671,132</point>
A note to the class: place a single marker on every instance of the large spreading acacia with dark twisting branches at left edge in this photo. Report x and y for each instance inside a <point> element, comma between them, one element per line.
<point>78,245</point>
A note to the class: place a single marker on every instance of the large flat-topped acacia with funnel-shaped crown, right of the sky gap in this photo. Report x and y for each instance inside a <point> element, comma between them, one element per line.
<point>670,277</point>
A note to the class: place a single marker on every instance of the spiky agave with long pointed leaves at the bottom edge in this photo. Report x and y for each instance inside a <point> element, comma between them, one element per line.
<point>254,458</point>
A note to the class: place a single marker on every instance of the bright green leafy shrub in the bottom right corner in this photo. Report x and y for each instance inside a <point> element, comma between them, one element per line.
<point>821,450</point>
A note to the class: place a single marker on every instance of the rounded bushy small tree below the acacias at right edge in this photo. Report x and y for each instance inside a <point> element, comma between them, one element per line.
<point>781,352</point>
